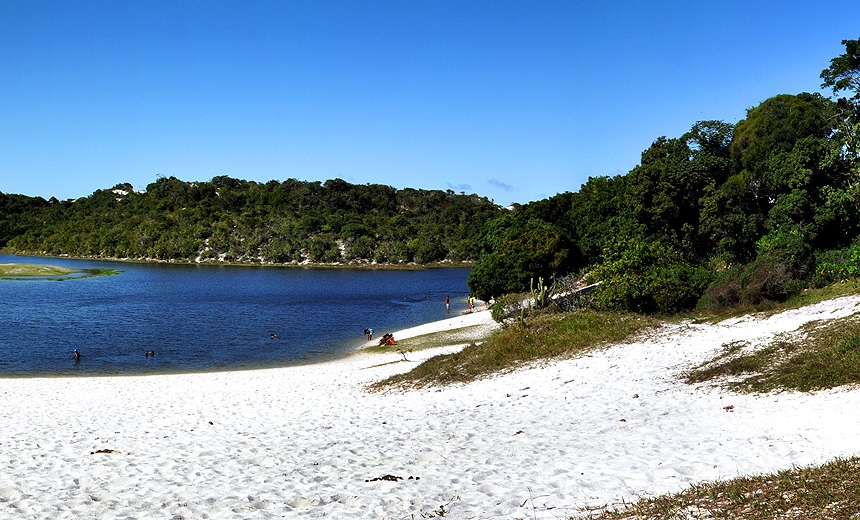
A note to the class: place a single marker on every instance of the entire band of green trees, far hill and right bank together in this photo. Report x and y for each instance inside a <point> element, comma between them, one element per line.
<point>721,215</point>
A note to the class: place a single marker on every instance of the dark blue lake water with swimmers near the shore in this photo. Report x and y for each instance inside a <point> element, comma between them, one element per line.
<point>203,318</point>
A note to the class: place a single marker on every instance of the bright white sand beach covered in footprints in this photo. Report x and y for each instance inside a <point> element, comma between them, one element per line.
<point>310,442</point>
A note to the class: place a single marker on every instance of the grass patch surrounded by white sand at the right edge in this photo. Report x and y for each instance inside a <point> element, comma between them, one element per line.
<point>819,356</point>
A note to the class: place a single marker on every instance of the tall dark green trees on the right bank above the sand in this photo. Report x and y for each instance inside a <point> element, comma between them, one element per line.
<point>720,215</point>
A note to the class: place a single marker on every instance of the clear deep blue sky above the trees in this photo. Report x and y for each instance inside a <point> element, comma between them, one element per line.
<point>516,101</point>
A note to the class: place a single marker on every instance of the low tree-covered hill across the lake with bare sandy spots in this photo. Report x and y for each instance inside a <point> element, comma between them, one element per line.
<point>234,220</point>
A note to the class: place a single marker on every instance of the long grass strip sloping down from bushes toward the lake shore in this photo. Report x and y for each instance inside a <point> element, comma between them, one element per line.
<point>541,337</point>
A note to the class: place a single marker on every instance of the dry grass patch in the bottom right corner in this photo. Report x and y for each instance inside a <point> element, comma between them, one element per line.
<point>827,492</point>
